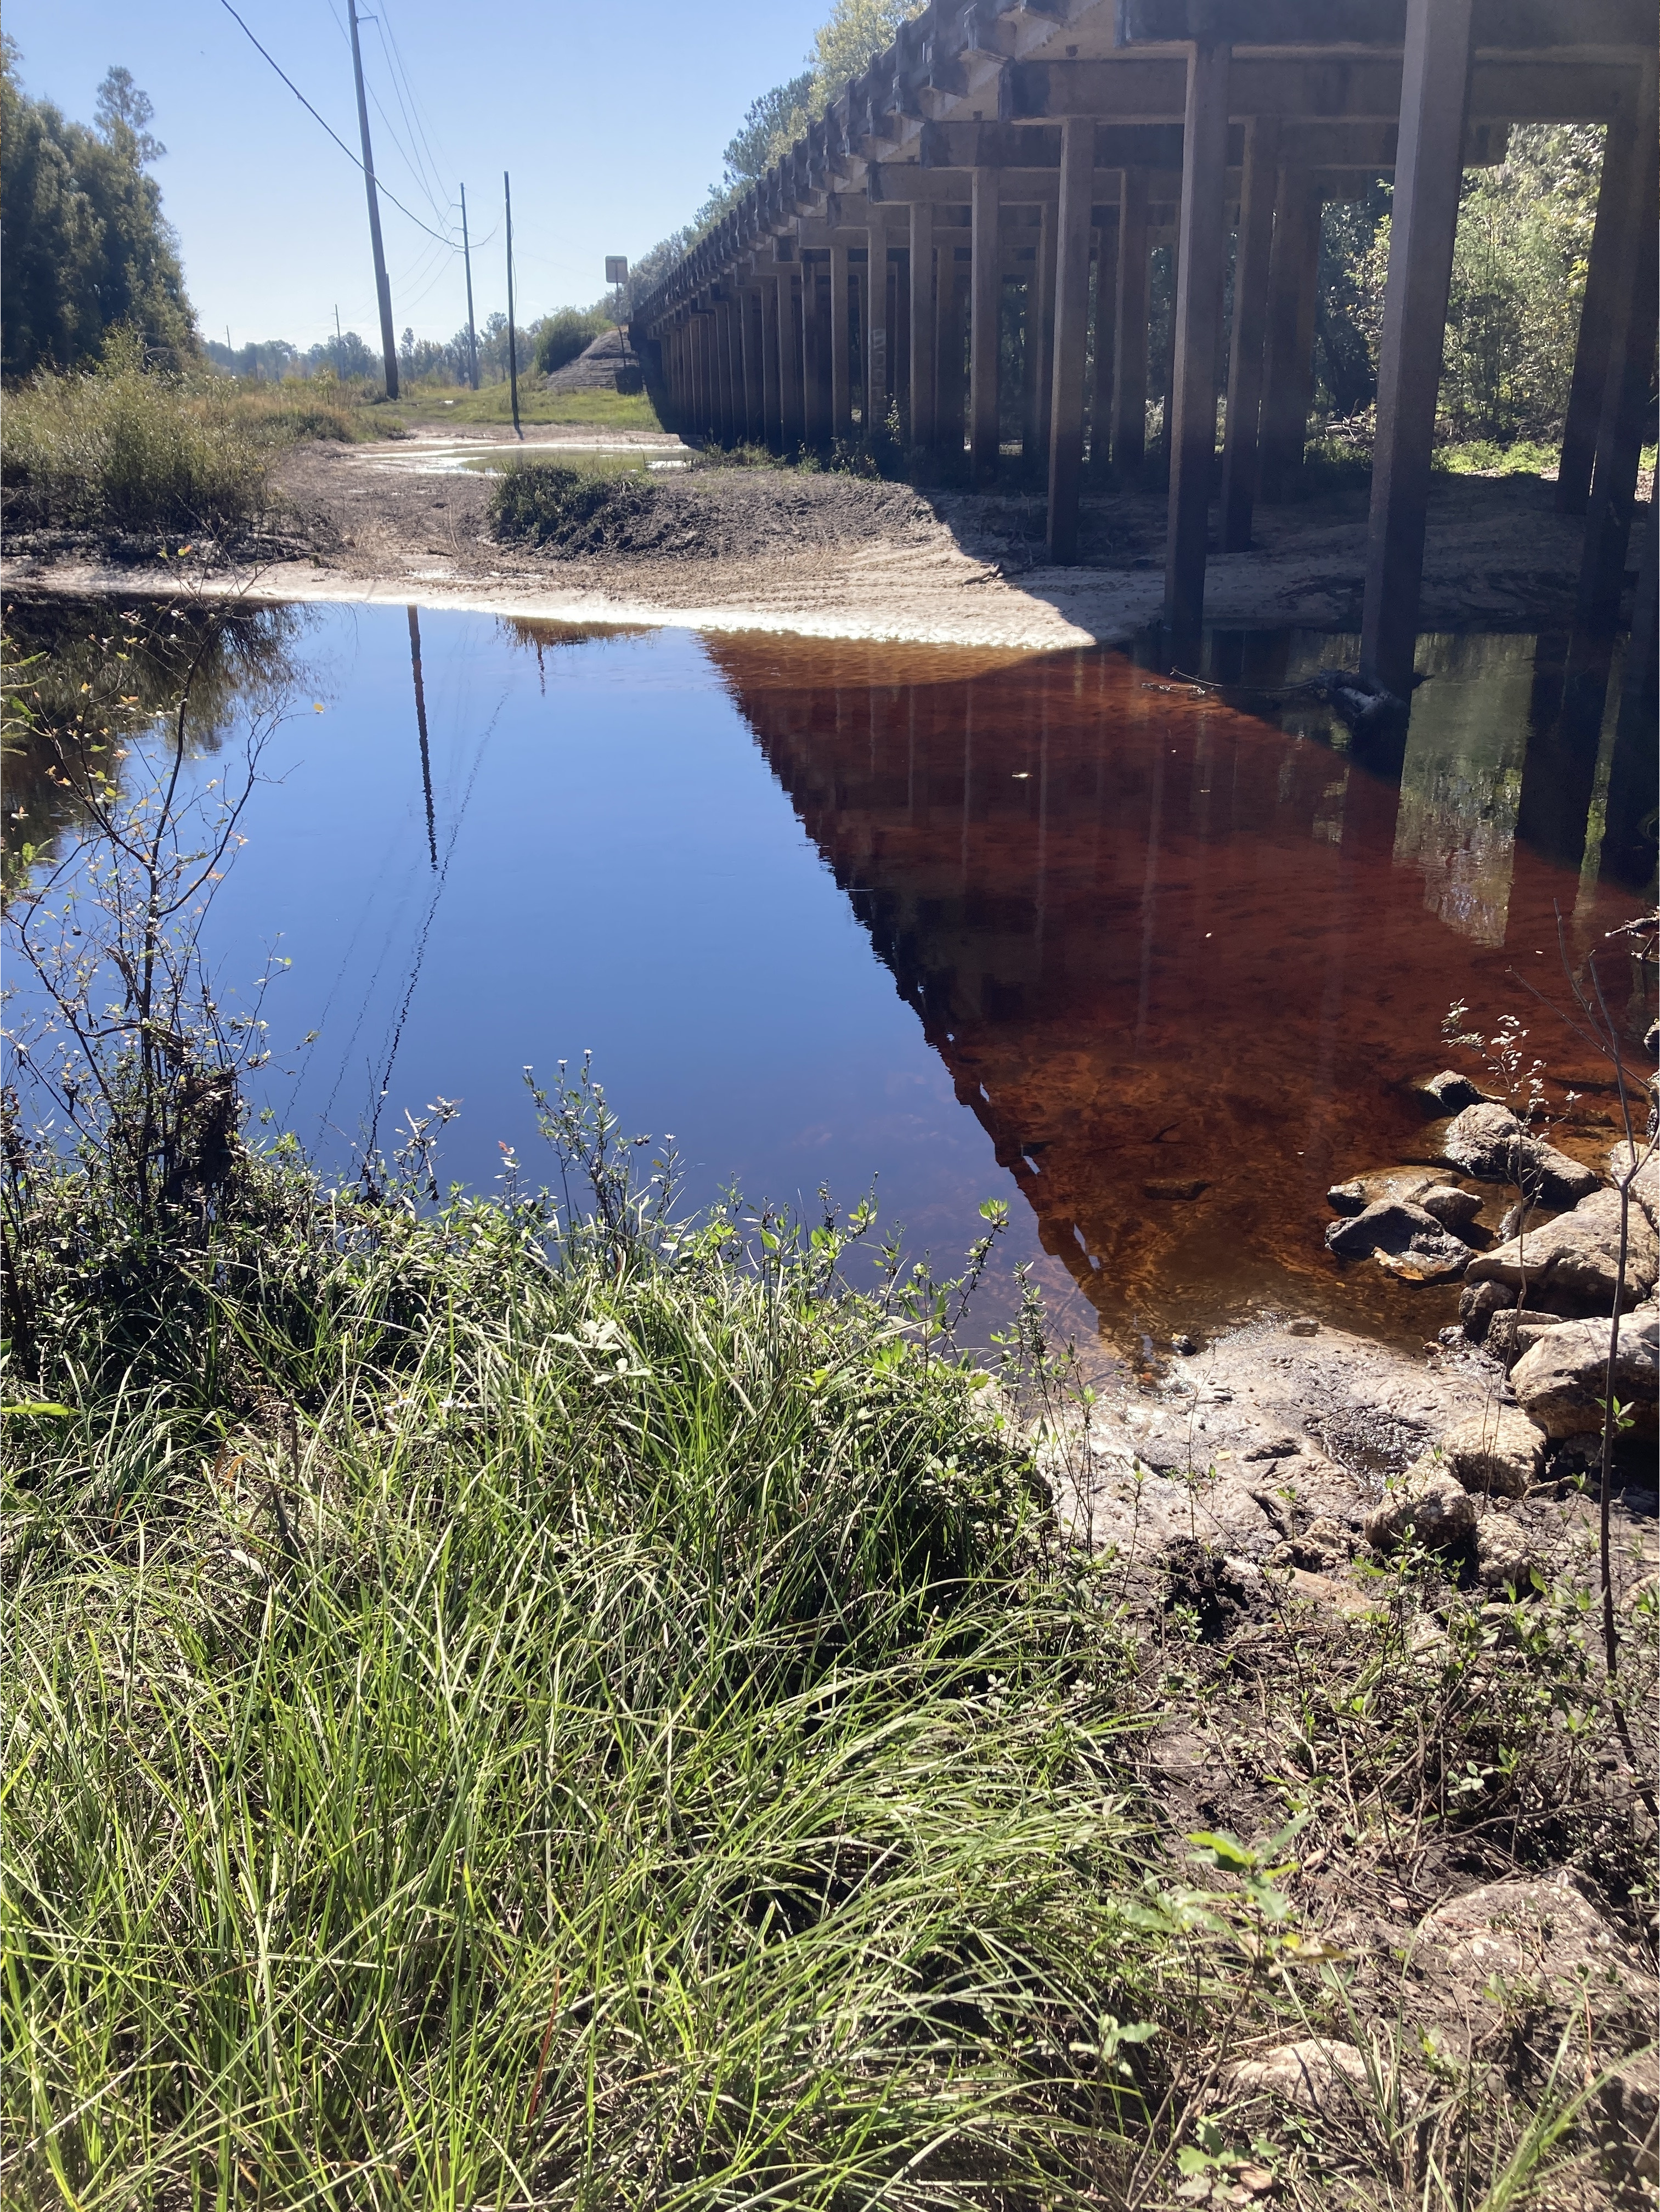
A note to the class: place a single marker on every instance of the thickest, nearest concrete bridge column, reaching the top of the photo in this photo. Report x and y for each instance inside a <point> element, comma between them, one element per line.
<point>1429,165</point>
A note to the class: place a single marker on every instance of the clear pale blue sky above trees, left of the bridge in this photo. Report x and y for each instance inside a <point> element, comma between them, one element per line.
<point>612,121</point>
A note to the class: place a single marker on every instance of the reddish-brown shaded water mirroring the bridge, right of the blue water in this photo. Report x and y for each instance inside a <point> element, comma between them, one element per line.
<point>1181,954</point>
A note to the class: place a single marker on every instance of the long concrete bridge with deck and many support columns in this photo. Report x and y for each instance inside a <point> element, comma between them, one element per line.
<point>1055,143</point>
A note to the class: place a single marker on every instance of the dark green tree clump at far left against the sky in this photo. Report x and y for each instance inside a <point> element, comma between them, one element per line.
<point>85,240</point>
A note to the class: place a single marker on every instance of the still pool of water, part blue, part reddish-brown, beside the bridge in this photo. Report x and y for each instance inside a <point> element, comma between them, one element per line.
<point>1152,963</point>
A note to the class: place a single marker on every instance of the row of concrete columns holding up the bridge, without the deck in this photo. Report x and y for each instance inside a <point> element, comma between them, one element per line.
<point>769,353</point>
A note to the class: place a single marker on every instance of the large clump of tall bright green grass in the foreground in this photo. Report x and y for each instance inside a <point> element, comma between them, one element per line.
<point>492,1733</point>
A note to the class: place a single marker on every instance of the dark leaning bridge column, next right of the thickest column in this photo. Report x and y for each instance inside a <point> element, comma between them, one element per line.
<point>1626,397</point>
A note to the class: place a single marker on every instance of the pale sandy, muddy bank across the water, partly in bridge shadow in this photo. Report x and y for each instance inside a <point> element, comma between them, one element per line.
<point>836,556</point>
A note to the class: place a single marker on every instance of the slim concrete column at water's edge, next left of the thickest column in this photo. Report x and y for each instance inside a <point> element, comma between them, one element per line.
<point>1199,328</point>
